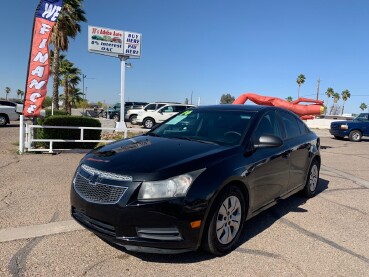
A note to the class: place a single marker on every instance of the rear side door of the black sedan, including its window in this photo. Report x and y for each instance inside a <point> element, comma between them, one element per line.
<point>299,146</point>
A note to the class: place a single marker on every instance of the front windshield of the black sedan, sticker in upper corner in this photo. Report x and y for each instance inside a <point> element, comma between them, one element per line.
<point>207,126</point>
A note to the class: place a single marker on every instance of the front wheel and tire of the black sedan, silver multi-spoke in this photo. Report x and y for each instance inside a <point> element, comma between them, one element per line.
<point>225,222</point>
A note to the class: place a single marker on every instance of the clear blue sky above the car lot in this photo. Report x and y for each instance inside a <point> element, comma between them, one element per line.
<point>210,47</point>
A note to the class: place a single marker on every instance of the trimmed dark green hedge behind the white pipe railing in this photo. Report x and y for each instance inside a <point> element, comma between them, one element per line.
<point>78,121</point>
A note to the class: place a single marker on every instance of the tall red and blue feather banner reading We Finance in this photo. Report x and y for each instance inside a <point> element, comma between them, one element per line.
<point>47,13</point>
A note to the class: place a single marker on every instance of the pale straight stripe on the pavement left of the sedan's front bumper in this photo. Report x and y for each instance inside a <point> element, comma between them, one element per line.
<point>34,231</point>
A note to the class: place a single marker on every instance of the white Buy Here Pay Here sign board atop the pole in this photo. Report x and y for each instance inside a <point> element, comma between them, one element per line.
<point>113,42</point>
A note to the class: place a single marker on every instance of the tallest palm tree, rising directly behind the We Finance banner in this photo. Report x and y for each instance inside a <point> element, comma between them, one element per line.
<point>66,27</point>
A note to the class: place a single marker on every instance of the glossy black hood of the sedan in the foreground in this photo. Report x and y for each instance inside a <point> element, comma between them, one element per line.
<point>153,158</point>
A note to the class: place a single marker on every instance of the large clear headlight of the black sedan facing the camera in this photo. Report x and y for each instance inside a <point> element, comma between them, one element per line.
<point>173,187</point>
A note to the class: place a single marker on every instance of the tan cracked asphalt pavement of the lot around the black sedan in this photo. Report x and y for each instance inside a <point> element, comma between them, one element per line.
<point>323,236</point>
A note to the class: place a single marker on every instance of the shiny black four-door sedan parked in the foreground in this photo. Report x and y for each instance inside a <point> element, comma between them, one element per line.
<point>193,180</point>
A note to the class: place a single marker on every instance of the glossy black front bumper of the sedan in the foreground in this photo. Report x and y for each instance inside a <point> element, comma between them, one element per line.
<point>155,227</point>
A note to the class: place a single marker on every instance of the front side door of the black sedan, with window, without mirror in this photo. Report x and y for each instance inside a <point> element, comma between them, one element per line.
<point>268,177</point>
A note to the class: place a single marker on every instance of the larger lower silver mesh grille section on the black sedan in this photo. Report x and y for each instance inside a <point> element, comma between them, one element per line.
<point>97,192</point>
